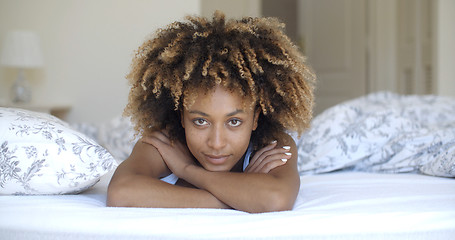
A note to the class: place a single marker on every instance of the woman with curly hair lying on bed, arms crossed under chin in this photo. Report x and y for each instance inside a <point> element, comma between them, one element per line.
<point>213,101</point>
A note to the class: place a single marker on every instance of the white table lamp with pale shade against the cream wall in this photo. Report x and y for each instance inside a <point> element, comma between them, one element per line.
<point>21,49</point>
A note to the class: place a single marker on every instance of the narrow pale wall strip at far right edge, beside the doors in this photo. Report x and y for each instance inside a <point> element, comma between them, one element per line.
<point>444,47</point>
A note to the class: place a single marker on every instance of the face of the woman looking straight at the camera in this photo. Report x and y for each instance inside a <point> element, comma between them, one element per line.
<point>218,128</point>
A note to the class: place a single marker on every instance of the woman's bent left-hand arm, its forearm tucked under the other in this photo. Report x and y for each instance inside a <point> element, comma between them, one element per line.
<point>136,183</point>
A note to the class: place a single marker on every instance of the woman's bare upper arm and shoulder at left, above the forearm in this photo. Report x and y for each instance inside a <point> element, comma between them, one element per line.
<point>143,160</point>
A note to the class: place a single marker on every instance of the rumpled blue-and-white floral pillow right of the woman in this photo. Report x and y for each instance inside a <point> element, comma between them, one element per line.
<point>382,132</point>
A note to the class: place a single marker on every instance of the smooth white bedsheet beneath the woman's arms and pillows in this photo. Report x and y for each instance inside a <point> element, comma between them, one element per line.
<point>344,205</point>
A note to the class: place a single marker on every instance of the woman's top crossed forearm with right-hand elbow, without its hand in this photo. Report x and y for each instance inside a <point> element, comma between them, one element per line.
<point>252,192</point>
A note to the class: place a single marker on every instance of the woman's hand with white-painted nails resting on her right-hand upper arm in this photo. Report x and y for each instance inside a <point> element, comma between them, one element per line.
<point>268,158</point>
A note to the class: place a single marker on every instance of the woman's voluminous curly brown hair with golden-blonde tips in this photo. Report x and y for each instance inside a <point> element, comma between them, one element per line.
<point>251,56</point>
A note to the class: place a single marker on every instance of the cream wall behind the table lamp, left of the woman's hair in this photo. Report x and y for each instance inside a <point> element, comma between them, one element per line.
<point>87,47</point>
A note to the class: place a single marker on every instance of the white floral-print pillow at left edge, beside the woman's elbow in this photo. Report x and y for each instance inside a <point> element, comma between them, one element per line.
<point>40,154</point>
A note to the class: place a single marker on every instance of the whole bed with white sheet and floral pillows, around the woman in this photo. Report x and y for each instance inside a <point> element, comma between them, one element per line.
<point>377,167</point>
